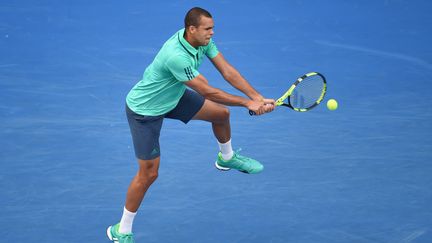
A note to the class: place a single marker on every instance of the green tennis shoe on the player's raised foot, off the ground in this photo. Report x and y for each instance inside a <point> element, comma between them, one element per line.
<point>240,163</point>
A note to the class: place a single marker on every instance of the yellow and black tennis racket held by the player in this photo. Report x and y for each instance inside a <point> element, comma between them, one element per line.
<point>305,94</point>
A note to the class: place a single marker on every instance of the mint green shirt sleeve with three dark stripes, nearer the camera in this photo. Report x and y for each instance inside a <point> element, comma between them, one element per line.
<point>181,68</point>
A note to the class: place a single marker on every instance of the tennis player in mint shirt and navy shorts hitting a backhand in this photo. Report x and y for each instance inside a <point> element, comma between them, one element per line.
<point>172,87</point>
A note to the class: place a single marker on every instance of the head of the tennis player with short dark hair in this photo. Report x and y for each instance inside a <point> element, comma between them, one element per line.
<point>199,26</point>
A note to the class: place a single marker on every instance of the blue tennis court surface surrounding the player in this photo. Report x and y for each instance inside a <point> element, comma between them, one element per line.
<point>362,173</point>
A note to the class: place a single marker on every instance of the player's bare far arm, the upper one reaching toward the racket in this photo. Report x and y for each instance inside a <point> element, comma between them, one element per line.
<point>233,76</point>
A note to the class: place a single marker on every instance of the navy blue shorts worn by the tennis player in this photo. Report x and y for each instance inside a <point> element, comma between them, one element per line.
<point>145,130</point>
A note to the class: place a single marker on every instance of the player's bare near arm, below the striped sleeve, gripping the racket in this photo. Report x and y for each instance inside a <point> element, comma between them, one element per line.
<point>200,85</point>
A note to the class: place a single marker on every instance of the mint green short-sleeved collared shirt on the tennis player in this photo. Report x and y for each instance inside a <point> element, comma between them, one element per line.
<point>162,85</point>
